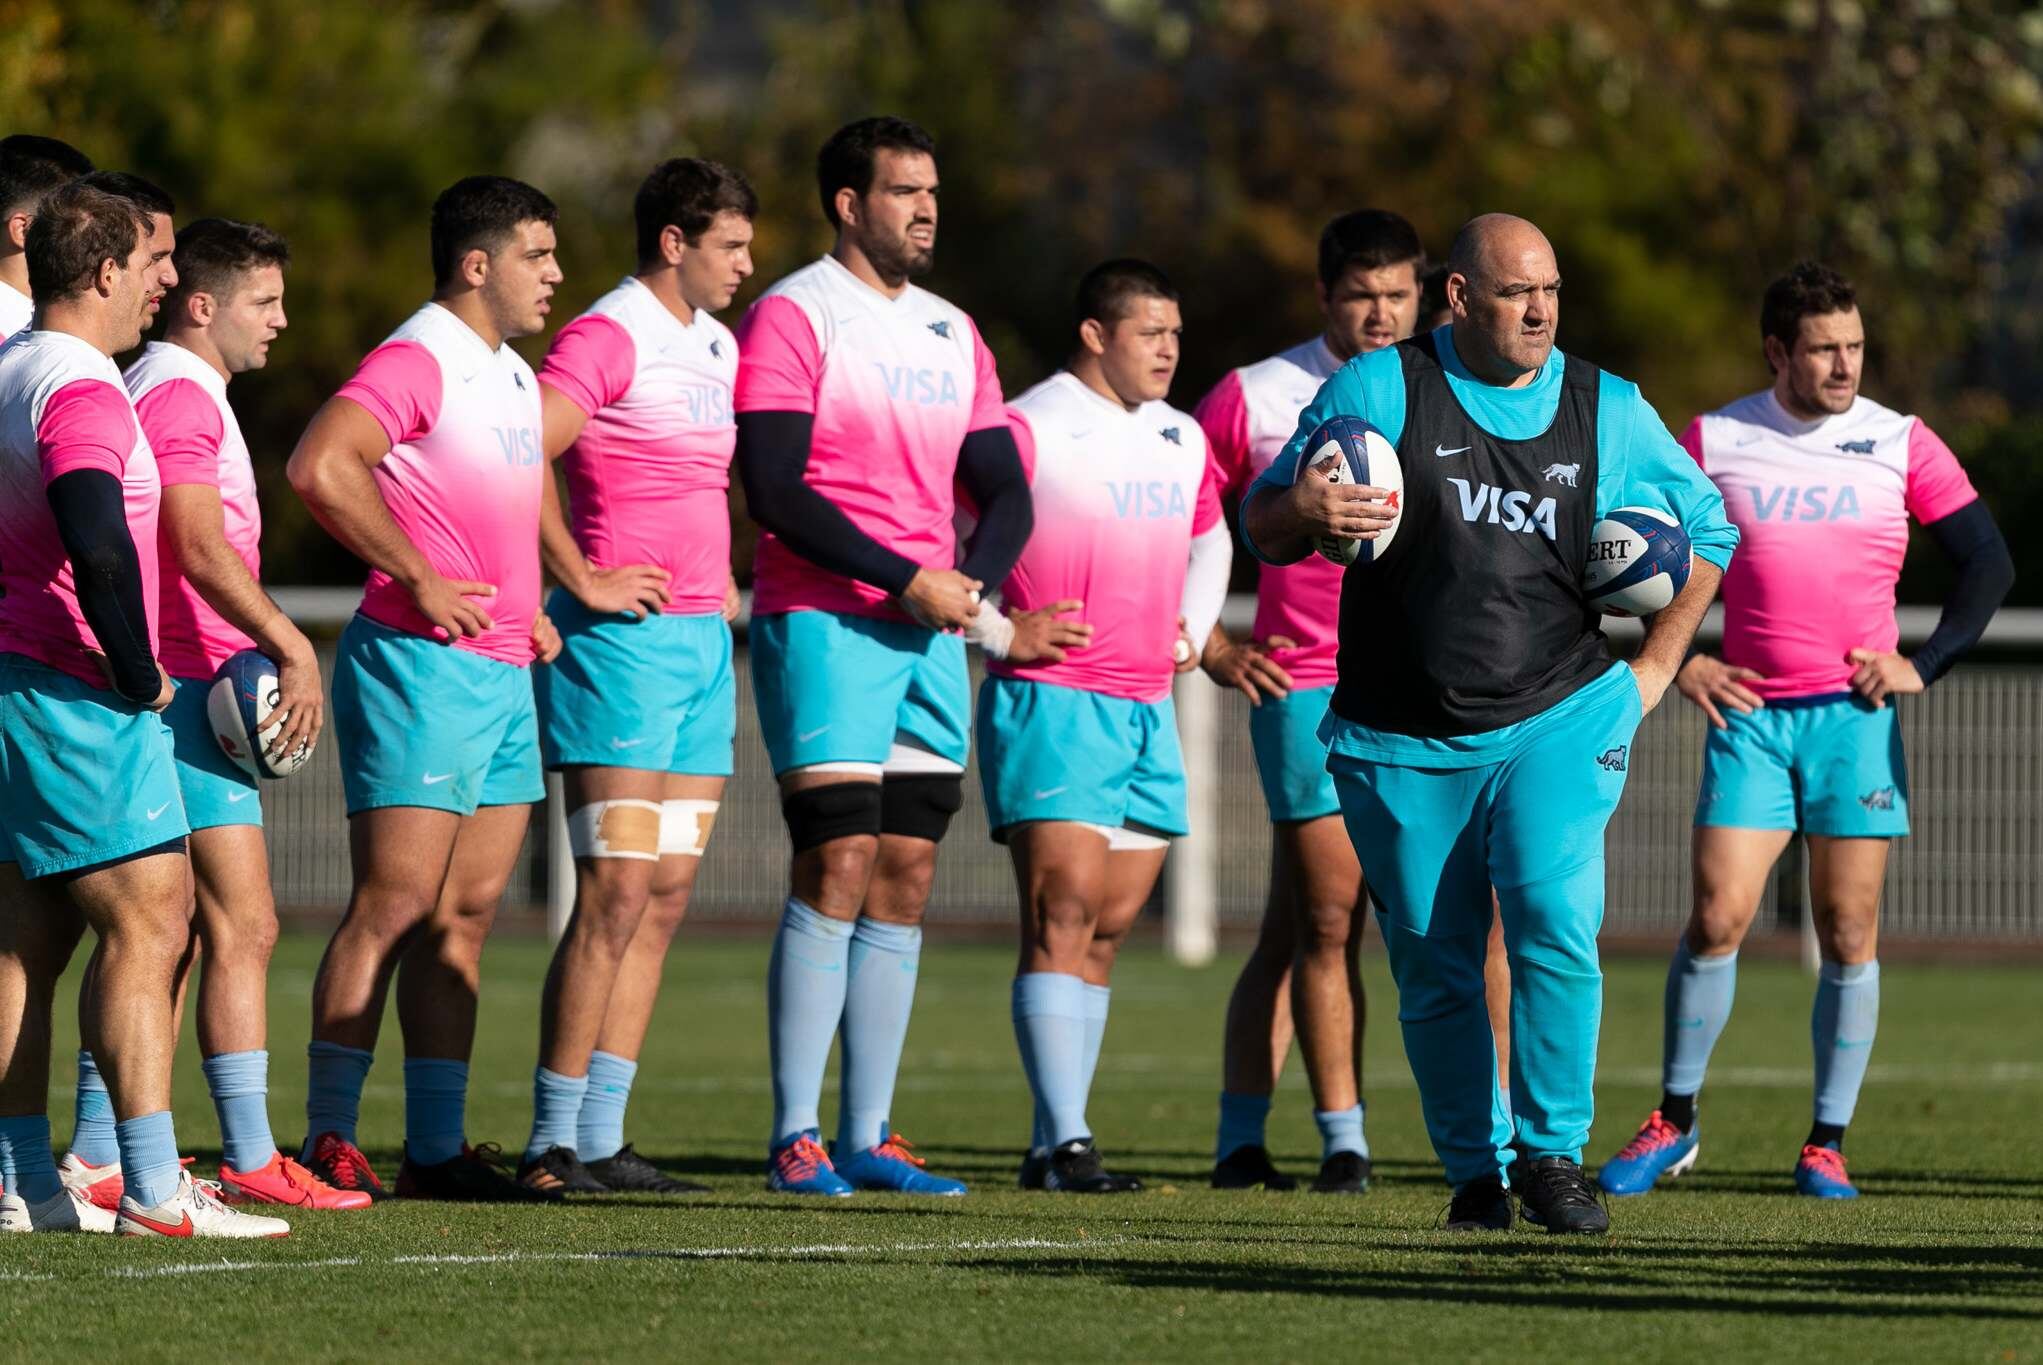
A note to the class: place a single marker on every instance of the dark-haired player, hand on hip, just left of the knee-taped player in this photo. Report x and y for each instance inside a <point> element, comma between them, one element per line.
<point>428,465</point>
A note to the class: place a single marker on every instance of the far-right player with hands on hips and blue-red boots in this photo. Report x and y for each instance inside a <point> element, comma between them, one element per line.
<point>1803,737</point>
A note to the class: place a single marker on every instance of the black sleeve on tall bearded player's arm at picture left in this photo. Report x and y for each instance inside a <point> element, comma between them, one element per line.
<point>773,451</point>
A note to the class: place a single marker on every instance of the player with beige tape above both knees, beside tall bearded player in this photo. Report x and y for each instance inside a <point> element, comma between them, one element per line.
<point>640,710</point>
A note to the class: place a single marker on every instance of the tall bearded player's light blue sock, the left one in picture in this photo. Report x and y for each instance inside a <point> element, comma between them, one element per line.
<point>804,1004</point>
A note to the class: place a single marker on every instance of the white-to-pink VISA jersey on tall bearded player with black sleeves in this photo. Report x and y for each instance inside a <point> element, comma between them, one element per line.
<point>896,385</point>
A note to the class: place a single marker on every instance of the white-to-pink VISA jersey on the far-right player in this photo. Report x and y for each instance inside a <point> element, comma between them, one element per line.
<point>1823,526</point>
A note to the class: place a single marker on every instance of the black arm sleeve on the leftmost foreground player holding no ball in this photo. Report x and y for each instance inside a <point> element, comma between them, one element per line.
<point>107,575</point>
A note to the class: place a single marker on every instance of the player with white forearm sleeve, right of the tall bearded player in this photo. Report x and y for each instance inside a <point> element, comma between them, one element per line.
<point>1080,757</point>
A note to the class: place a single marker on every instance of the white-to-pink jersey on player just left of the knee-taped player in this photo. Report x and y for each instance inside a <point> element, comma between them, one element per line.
<point>463,475</point>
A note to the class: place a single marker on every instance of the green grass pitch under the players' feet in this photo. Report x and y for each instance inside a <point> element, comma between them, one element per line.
<point>1940,1262</point>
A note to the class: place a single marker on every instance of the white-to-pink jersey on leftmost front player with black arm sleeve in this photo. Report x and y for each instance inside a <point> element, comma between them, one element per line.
<point>62,410</point>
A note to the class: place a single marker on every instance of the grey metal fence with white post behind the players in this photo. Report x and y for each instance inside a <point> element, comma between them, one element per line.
<point>1973,869</point>
